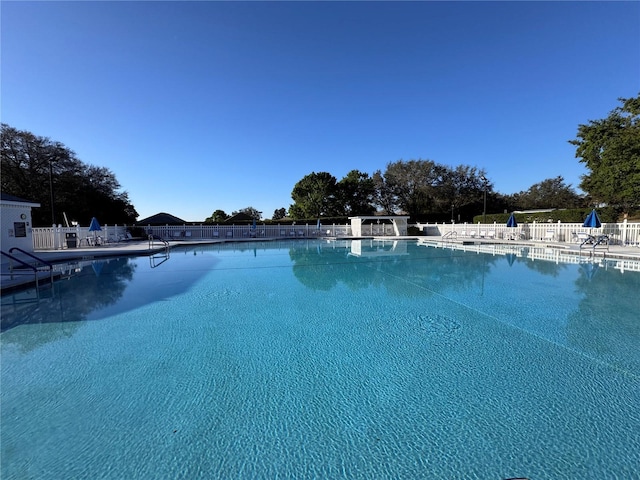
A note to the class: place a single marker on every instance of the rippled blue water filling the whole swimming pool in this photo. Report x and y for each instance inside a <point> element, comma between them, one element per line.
<point>327,360</point>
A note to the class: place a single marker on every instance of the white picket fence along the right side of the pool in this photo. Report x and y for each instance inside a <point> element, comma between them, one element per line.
<point>623,233</point>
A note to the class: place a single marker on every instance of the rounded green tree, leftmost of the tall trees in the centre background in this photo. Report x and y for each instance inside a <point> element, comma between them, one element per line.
<point>314,196</point>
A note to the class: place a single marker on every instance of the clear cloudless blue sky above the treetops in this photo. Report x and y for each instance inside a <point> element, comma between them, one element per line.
<point>198,106</point>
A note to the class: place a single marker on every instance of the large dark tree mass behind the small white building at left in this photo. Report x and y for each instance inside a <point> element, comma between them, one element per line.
<point>38,169</point>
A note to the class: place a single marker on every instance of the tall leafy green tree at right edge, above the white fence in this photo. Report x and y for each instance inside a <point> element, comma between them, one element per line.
<point>610,149</point>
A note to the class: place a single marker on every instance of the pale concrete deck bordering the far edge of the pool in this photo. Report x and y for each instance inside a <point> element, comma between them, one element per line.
<point>17,280</point>
